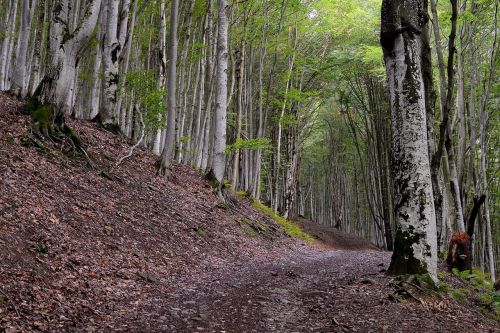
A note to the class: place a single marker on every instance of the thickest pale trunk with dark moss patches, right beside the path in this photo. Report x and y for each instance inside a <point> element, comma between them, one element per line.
<point>415,247</point>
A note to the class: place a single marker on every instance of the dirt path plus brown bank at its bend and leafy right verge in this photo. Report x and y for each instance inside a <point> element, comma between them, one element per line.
<point>321,289</point>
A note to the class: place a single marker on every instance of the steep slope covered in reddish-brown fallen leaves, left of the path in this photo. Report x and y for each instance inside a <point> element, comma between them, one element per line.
<point>82,243</point>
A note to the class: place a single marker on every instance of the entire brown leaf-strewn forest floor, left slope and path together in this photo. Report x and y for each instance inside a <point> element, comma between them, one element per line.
<point>119,249</point>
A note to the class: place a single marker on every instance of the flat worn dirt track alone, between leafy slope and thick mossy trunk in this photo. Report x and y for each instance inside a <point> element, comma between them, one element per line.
<point>293,295</point>
